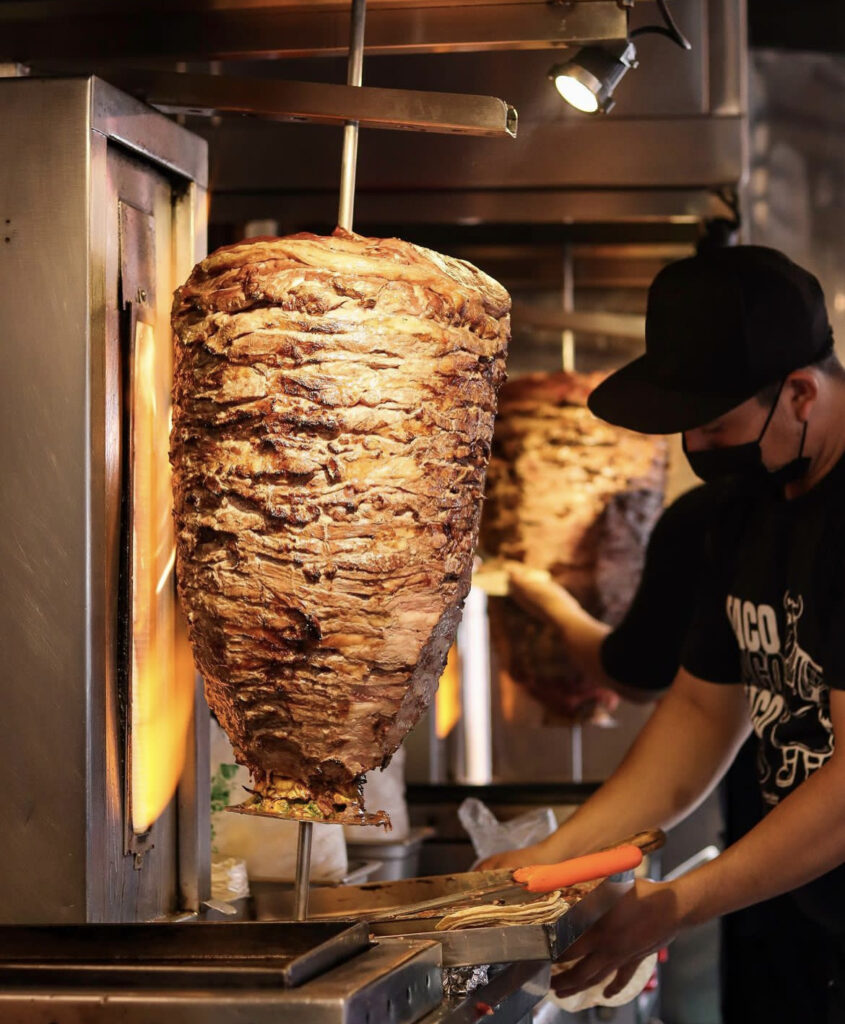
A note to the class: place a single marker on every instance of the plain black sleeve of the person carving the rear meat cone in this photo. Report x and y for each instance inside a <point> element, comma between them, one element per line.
<point>645,651</point>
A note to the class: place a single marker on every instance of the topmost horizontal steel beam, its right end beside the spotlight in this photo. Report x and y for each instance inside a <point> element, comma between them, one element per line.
<point>63,32</point>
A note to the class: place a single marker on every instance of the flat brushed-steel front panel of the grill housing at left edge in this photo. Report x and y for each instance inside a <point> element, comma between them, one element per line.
<point>45,207</point>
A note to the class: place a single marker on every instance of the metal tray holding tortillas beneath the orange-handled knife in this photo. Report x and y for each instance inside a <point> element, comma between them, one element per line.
<point>462,948</point>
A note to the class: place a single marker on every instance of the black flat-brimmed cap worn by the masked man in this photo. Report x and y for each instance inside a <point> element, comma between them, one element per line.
<point>720,328</point>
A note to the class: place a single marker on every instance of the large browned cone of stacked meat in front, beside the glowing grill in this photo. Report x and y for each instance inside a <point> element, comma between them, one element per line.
<point>333,413</point>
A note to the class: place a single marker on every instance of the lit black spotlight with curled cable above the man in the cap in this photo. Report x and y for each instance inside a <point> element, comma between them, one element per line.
<point>588,79</point>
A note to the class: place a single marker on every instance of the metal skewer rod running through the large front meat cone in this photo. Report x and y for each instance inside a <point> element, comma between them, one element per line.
<point>355,74</point>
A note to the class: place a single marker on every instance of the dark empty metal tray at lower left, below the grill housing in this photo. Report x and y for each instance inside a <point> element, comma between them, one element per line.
<point>240,954</point>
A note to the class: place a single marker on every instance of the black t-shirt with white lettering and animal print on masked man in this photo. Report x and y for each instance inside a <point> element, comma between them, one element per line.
<point>772,616</point>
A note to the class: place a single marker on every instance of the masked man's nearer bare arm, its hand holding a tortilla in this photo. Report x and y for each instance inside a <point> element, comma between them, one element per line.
<point>800,840</point>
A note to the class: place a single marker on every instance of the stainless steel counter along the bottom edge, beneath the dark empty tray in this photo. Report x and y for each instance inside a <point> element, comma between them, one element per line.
<point>398,982</point>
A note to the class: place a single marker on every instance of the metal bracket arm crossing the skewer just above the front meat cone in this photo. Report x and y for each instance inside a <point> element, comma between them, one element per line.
<point>321,103</point>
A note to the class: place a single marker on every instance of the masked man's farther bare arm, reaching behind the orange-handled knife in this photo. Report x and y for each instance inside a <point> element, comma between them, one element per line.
<point>681,754</point>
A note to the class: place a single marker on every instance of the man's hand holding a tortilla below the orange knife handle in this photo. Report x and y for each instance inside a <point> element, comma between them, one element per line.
<point>645,921</point>
